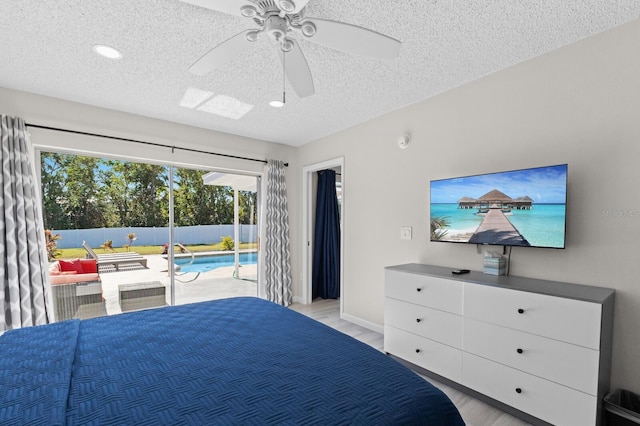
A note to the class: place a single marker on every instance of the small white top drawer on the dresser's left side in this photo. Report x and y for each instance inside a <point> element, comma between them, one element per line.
<point>433,292</point>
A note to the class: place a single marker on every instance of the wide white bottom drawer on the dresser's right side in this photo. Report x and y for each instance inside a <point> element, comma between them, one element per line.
<point>541,398</point>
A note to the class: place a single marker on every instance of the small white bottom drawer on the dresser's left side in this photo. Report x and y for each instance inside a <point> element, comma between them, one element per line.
<point>441,359</point>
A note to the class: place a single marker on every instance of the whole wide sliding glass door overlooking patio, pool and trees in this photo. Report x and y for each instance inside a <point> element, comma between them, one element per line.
<point>124,214</point>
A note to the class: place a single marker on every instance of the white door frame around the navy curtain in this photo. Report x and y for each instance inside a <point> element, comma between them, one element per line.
<point>309,182</point>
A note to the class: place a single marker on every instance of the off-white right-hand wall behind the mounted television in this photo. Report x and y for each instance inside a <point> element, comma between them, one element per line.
<point>578,105</point>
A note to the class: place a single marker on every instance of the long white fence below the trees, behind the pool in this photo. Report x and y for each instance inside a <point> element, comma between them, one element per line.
<point>202,234</point>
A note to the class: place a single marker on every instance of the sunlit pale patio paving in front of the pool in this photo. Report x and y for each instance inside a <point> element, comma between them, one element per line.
<point>216,284</point>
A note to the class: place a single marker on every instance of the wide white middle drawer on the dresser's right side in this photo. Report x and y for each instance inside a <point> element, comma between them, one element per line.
<point>564,363</point>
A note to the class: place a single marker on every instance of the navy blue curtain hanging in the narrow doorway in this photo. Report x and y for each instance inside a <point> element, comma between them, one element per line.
<point>326,247</point>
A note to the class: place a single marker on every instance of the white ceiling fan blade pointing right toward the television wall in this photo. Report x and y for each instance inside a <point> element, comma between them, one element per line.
<point>353,39</point>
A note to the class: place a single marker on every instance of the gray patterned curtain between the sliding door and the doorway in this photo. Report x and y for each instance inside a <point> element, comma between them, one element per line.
<point>277,251</point>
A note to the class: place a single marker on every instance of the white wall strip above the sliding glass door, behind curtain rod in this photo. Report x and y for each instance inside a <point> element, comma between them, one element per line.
<point>47,111</point>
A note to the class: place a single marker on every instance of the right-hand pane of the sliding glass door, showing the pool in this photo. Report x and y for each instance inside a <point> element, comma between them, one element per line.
<point>216,213</point>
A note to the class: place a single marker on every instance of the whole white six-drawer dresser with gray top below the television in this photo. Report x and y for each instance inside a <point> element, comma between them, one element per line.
<point>538,349</point>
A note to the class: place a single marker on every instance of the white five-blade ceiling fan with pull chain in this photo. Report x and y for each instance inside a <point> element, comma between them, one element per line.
<point>283,21</point>
